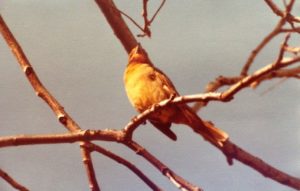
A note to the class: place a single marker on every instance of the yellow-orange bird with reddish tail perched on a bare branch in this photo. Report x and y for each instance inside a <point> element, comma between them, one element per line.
<point>146,86</point>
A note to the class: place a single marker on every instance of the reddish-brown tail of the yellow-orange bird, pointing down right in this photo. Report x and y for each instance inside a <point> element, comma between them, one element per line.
<point>206,129</point>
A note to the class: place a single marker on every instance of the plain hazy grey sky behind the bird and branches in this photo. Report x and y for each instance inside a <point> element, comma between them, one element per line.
<point>81,62</point>
